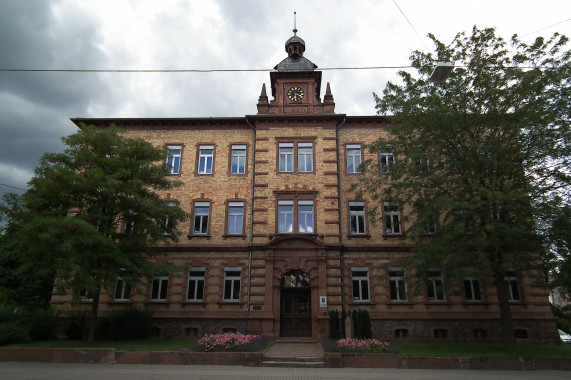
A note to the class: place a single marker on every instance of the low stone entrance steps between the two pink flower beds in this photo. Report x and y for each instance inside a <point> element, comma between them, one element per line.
<point>294,352</point>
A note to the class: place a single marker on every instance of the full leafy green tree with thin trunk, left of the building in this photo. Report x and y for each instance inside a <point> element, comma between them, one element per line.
<point>92,213</point>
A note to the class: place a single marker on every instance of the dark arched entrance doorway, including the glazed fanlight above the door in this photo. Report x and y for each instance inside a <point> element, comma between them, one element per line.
<point>295,305</point>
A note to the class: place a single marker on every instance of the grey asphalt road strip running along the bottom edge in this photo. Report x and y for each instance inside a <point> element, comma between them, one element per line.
<point>45,371</point>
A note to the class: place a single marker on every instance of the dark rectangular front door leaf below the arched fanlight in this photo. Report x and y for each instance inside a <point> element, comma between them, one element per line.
<point>295,313</point>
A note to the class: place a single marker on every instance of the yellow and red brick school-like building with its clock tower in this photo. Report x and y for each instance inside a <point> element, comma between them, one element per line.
<point>305,245</point>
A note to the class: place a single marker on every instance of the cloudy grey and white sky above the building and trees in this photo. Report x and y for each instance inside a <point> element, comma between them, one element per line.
<point>35,107</point>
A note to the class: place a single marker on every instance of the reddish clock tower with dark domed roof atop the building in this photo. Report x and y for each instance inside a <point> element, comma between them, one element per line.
<point>296,85</point>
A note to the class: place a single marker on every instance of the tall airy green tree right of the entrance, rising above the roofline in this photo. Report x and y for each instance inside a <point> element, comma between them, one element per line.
<point>476,156</point>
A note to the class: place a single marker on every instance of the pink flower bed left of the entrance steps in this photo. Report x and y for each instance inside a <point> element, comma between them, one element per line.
<point>230,342</point>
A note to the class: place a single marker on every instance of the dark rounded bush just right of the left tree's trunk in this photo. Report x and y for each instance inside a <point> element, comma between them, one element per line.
<point>127,324</point>
